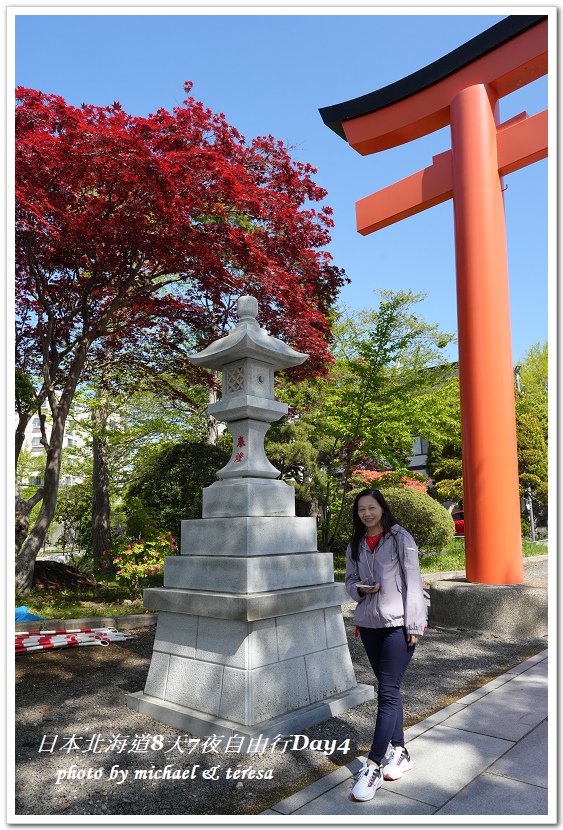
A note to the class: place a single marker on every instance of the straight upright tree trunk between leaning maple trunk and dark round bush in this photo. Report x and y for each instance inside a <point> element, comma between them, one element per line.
<point>101,532</point>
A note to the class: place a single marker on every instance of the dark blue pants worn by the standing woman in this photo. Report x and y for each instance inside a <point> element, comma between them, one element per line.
<point>389,655</point>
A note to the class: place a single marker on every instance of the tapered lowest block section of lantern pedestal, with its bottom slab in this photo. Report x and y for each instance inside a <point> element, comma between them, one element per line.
<point>246,677</point>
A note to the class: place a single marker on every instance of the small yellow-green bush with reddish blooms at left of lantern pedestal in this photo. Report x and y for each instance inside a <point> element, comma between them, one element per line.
<point>136,561</point>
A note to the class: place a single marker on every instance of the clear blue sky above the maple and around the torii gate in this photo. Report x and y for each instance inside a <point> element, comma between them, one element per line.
<point>269,73</point>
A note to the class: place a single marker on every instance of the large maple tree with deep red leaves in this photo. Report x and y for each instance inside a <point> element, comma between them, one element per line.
<point>133,227</point>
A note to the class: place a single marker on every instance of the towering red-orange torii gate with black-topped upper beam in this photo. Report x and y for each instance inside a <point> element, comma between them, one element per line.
<point>462,89</point>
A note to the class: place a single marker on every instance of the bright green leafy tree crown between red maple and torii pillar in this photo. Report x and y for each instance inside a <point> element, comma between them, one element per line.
<point>383,387</point>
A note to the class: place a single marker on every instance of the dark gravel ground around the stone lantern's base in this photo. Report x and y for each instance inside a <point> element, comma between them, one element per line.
<point>82,693</point>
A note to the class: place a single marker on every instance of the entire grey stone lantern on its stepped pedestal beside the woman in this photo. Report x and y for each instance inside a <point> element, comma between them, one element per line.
<point>250,637</point>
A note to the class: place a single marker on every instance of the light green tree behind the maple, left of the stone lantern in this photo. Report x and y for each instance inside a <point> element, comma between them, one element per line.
<point>125,409</point>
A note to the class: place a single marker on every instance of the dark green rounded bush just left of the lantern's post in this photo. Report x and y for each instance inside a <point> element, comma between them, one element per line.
<point>169,488</point>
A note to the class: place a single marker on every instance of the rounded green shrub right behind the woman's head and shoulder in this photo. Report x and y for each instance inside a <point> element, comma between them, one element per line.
<point>428,522</point>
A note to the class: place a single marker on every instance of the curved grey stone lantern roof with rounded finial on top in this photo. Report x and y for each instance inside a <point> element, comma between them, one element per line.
<point>248,340</point>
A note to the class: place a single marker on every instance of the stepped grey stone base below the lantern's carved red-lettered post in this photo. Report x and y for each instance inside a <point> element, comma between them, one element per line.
<point>249,642</point>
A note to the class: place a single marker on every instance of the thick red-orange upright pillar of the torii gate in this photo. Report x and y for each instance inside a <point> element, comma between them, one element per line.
<point>490,484</point>
